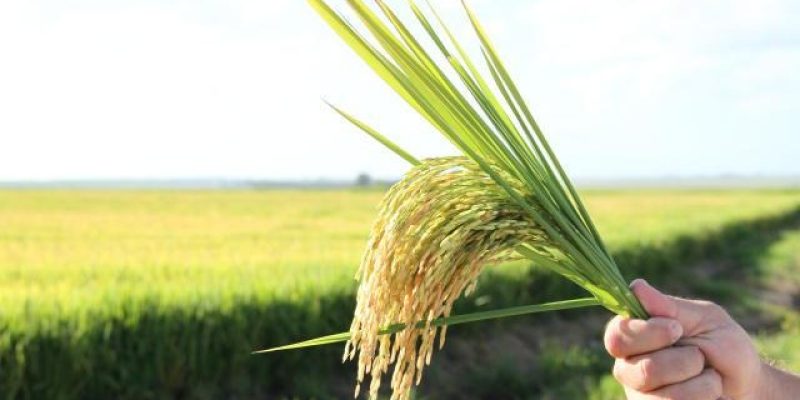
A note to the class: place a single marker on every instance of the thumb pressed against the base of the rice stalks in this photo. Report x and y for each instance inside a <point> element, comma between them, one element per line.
<point>693,315</point>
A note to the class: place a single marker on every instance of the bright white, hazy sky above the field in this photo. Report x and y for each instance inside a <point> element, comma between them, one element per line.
<point>104,89</point>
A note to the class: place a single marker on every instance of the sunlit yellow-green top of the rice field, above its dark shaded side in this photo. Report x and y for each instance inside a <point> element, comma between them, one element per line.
<point>74,247</point>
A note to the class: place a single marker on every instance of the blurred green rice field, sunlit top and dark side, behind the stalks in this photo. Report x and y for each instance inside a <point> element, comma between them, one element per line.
<point>161,294</point>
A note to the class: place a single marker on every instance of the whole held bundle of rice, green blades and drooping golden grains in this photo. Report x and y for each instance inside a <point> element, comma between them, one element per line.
<point>505,197</point>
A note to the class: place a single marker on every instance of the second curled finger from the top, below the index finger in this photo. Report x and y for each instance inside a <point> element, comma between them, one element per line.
<point>665,367</point>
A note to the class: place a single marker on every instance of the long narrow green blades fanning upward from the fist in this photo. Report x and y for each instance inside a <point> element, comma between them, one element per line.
<point>477,121</point>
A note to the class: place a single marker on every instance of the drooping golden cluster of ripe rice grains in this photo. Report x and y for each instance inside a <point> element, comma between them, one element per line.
<point>437,228</point>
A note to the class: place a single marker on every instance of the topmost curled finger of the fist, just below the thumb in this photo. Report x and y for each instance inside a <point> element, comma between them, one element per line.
<point>629,337</point>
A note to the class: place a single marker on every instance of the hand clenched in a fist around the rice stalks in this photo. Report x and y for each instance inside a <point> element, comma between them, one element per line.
<point>689,349</point>
